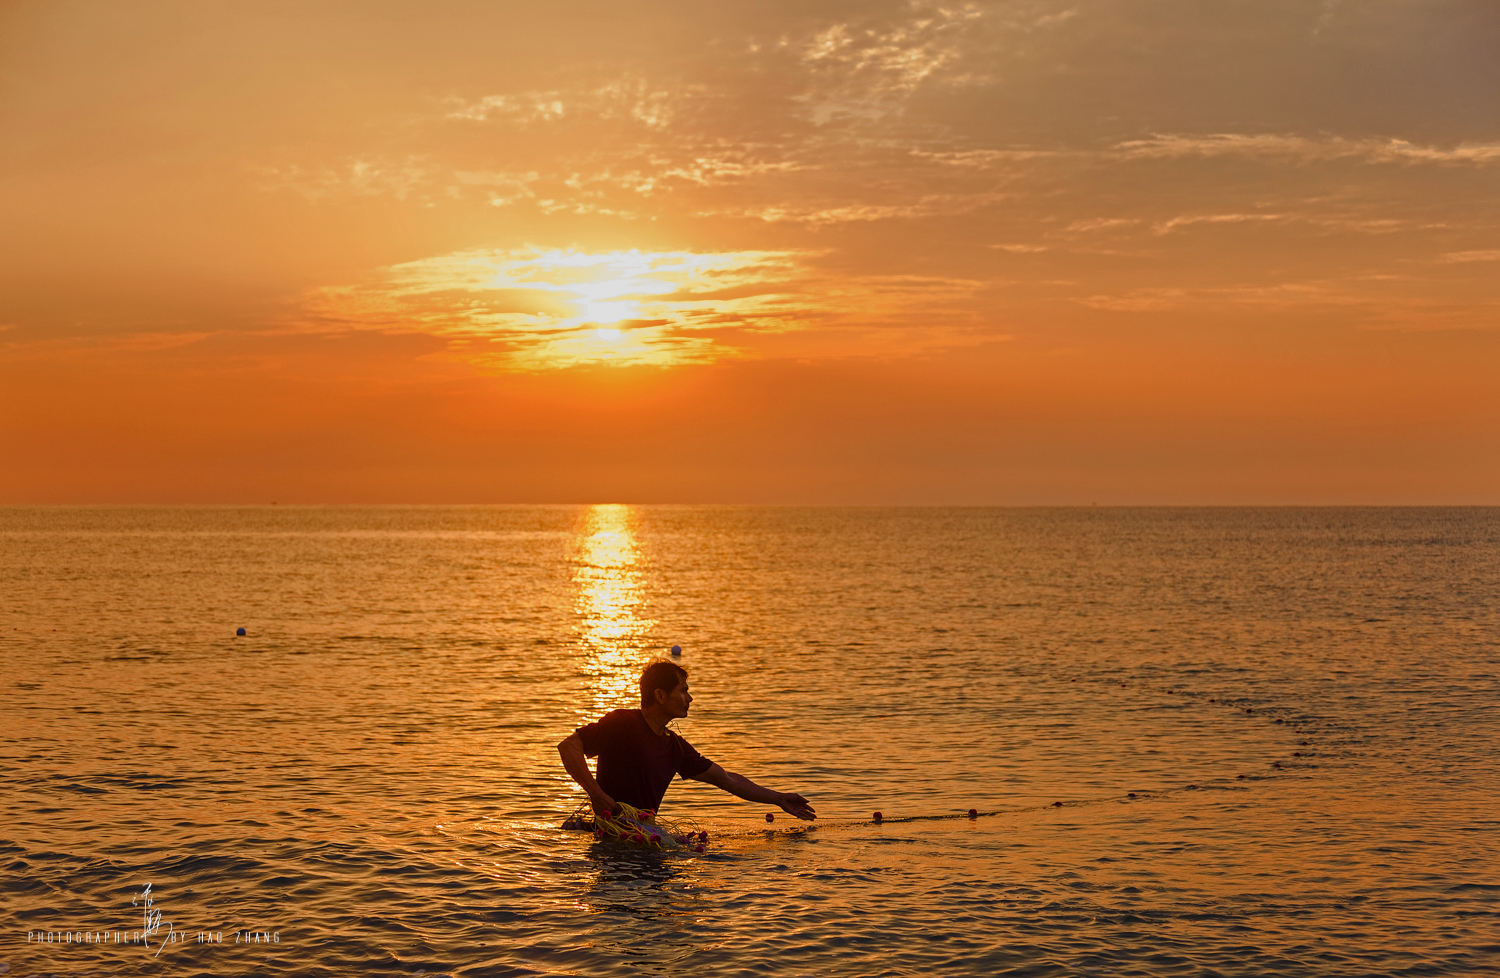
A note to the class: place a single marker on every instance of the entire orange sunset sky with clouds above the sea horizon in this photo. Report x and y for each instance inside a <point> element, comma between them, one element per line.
<point>1013,253</point>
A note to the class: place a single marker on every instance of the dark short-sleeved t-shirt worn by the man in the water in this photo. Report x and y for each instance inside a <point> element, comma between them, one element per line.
<point>635,764</point>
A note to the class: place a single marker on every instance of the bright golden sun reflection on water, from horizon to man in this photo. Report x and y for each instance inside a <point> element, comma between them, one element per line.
<point>610,607</point>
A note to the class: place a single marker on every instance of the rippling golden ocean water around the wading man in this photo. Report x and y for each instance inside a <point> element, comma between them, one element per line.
<point>1201,742</point>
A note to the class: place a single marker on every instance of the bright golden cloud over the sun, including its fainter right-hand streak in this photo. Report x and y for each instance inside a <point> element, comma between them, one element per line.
<point>536,310</point>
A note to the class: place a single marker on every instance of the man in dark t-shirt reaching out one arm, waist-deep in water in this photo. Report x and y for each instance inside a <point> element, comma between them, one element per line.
<point>638,755</point>
